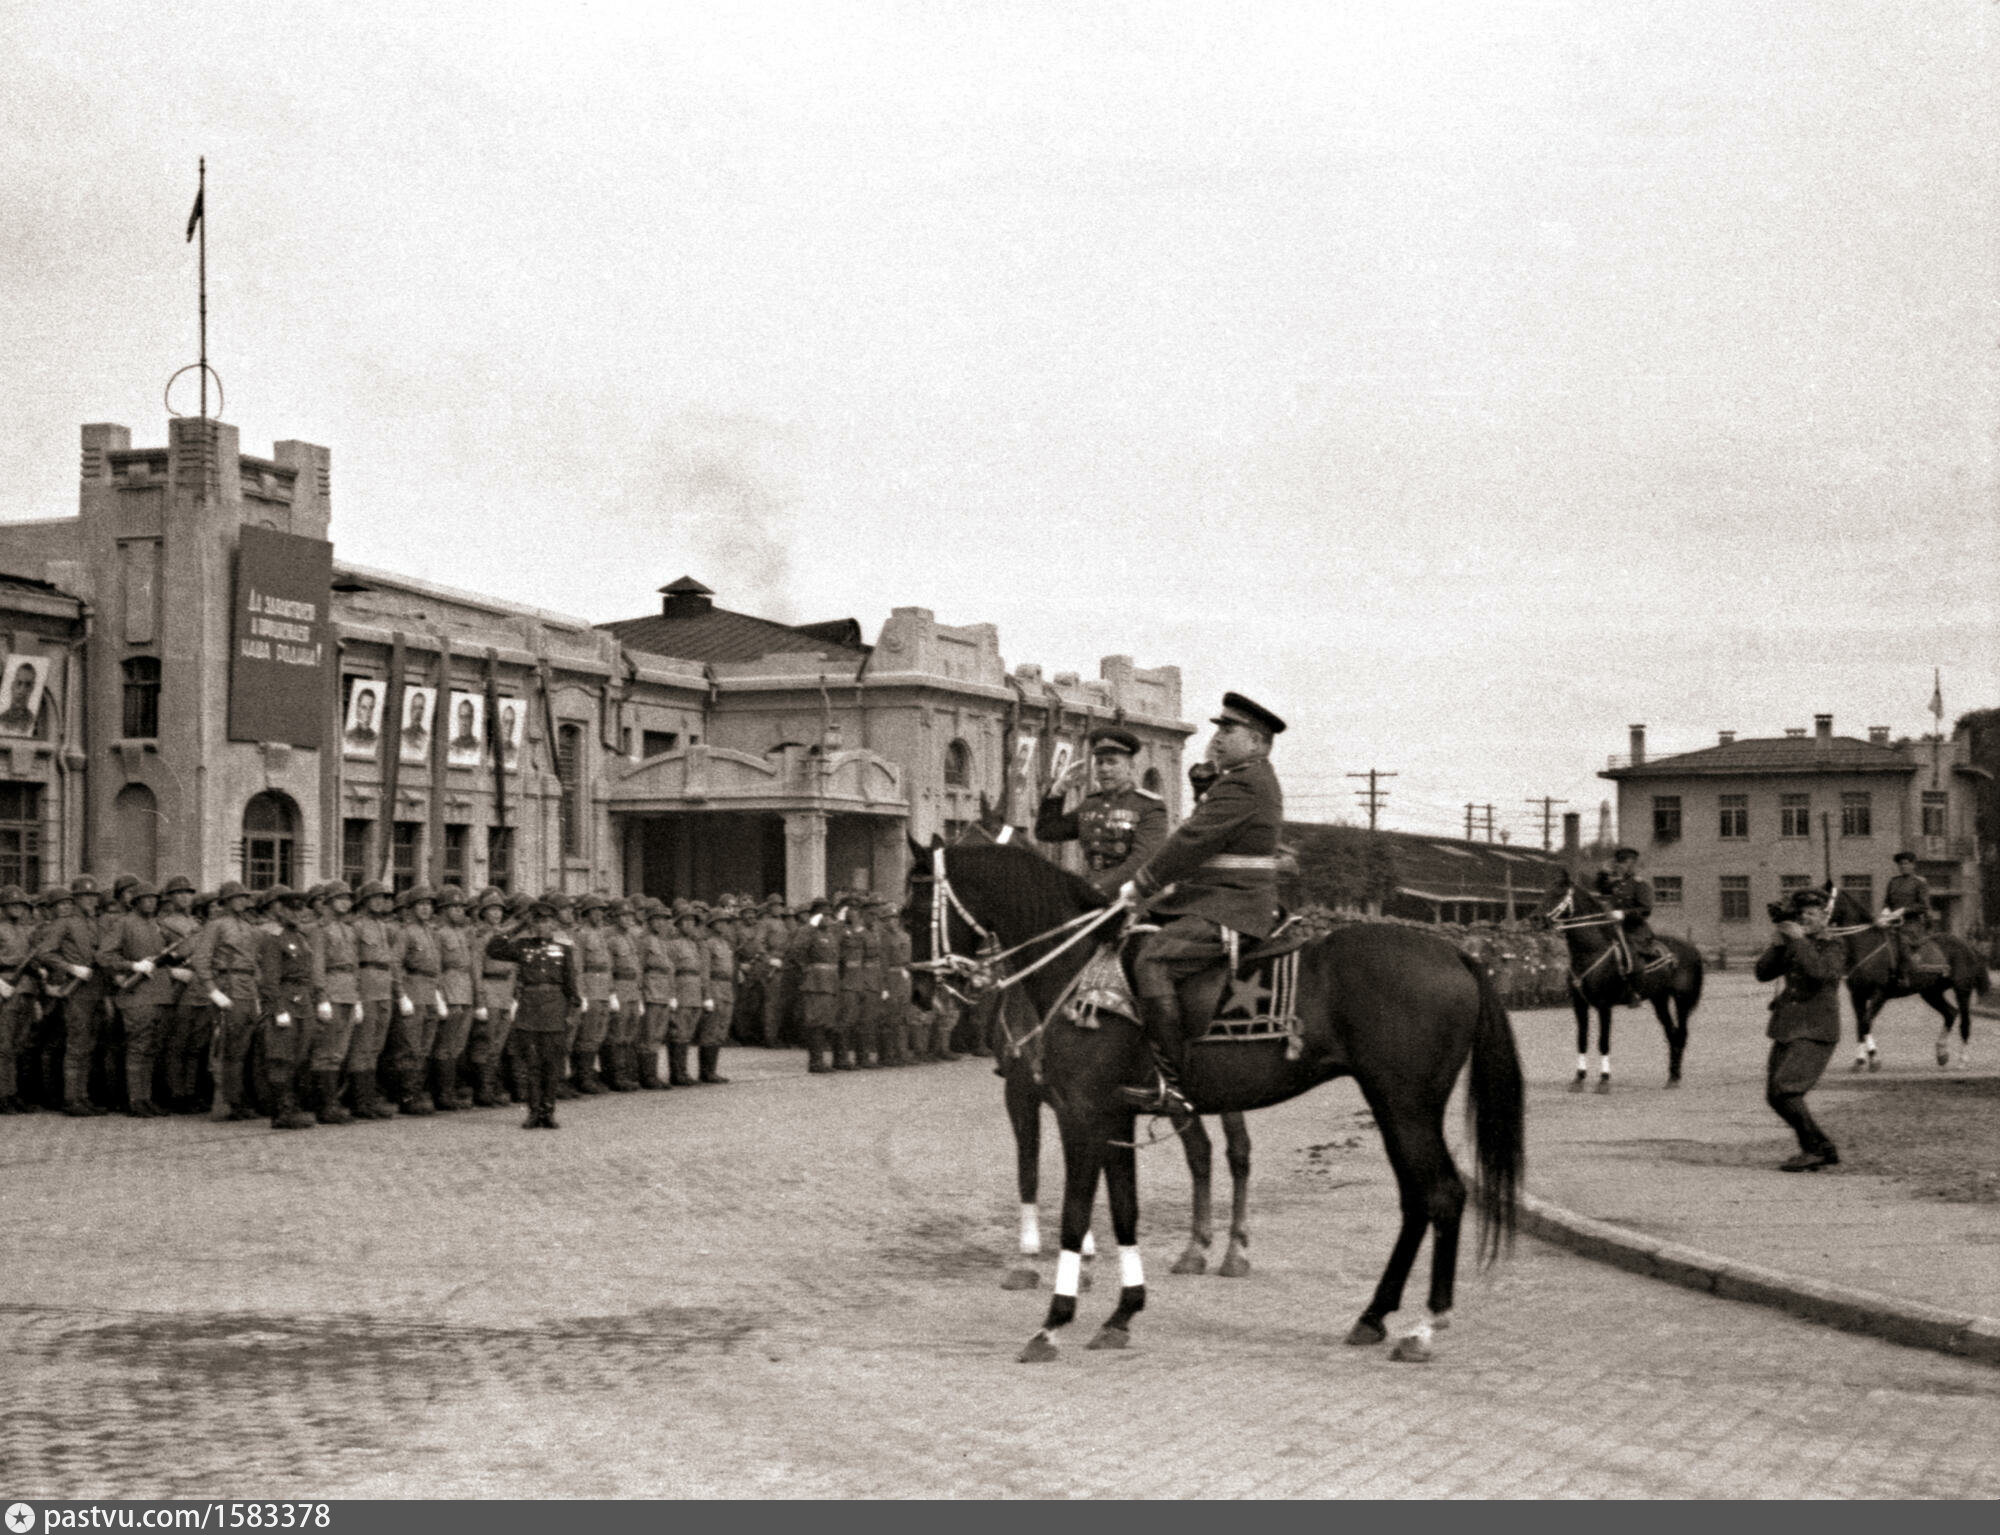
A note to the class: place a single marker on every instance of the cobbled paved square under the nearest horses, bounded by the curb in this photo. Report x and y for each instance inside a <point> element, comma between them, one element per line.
<point>789,1288</point>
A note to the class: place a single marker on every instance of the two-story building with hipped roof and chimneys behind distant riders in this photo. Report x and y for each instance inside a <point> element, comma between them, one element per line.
<point>1733,826</point>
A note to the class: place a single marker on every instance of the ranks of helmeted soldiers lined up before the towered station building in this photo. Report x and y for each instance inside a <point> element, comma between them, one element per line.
<point>339,1004</point>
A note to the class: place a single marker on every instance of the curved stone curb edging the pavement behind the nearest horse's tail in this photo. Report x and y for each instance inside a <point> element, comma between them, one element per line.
<point>1833,1306</point>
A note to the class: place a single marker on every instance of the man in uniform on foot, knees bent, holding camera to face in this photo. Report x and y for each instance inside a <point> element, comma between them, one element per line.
<point>1805,1020</point>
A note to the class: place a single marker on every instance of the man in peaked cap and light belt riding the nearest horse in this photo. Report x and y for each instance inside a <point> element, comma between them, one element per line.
<point>1219,870</point>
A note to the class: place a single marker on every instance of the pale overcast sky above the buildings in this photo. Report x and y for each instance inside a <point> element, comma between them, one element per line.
<point>1461,381</point>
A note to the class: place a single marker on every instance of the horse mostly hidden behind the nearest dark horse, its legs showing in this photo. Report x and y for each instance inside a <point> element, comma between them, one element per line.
<point>1003,1018</point>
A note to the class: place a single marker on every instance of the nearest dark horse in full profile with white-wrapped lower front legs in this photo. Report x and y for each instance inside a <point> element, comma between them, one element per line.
<point>1395,1008</point>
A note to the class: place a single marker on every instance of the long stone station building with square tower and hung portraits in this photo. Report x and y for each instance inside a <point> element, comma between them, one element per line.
<point>747,757</point>
